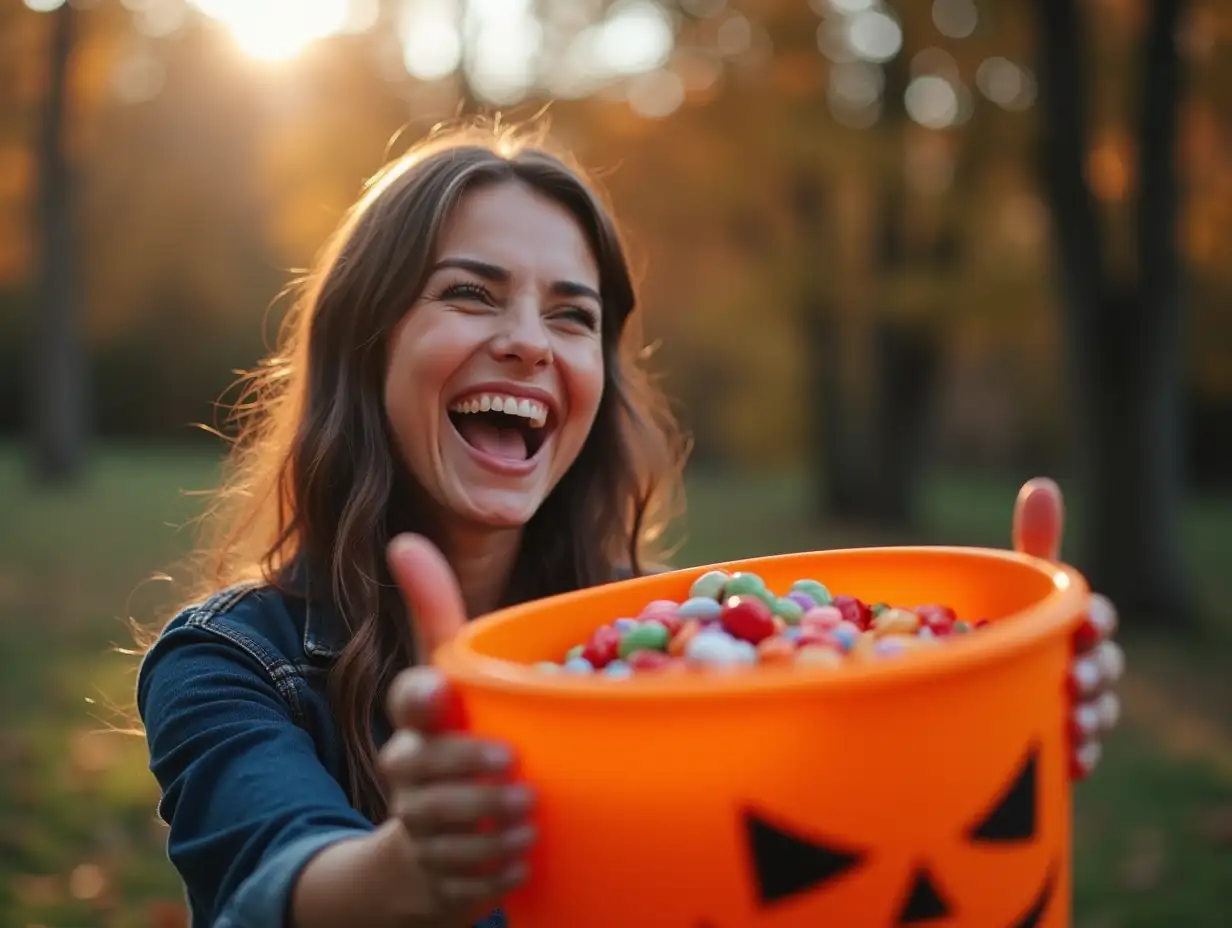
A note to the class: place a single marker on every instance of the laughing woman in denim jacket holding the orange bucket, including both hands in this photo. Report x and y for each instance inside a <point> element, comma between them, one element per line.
<point>460,369</point>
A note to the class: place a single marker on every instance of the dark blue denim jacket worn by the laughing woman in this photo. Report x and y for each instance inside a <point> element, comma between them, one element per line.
<point>246,751</point>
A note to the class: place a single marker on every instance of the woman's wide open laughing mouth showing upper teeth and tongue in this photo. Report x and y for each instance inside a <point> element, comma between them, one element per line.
<point>505,428</point>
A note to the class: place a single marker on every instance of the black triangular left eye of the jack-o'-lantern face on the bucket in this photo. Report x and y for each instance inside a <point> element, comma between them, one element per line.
<point>785,865</point>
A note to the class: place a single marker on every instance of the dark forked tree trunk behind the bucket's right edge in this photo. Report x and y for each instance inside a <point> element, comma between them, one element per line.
<point>1124,337</point>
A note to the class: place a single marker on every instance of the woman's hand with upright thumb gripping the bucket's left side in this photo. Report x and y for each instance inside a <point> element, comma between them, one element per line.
<point>466,821</point>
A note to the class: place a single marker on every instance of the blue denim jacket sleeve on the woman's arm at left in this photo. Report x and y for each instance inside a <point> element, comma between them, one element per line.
<point>246,797</point>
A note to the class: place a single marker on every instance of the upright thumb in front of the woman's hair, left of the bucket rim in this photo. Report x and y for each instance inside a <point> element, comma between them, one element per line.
<point>431,591</point>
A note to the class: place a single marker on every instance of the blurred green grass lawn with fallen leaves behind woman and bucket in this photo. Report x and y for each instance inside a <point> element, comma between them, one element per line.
<point>81,844</point>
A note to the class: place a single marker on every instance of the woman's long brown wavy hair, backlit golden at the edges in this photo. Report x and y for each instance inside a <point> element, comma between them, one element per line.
<point>314,479</point>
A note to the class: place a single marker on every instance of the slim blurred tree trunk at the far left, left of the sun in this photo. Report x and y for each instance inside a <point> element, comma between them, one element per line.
<point>57,395</point>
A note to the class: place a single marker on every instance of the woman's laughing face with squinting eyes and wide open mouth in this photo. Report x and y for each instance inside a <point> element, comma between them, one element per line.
<point>497,372</point>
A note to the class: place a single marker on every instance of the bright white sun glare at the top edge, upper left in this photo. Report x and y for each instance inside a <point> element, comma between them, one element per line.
<point>278,30</point>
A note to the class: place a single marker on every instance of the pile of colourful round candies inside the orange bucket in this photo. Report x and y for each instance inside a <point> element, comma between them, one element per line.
<point>734,621</point>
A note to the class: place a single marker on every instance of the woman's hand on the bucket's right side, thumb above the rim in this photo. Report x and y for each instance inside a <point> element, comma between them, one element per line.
<point>1039,521</point>
